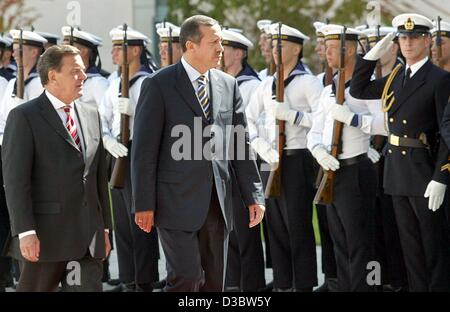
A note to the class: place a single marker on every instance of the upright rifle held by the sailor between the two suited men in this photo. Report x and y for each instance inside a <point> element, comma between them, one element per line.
<point>118,174</point>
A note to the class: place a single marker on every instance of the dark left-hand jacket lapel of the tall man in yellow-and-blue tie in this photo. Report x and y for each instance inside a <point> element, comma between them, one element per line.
<point>187,92</point>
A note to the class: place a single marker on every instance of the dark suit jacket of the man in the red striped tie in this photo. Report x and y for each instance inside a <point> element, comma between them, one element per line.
<point>49,187</point>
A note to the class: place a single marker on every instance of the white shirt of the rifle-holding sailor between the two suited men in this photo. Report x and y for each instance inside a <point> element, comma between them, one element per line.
<point>108,109</point>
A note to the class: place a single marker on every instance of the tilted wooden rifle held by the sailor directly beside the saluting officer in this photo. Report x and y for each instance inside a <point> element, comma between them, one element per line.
<point>325,191</point>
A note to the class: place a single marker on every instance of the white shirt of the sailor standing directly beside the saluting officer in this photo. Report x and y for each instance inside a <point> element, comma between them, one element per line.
<point>355,140</point>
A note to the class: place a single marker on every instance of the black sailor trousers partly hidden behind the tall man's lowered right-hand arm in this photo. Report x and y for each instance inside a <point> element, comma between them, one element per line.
<point>245,261</point>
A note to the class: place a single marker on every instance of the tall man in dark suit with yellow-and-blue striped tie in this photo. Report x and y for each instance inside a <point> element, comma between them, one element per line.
<point>183,184</point>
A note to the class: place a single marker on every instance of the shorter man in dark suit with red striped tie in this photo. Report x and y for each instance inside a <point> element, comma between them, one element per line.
<point>55,181</point>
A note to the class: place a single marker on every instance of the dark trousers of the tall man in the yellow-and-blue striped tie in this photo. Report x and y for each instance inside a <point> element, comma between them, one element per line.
<point>195,261</point>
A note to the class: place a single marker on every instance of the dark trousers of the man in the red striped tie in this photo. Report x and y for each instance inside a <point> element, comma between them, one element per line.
<point>84,275</point>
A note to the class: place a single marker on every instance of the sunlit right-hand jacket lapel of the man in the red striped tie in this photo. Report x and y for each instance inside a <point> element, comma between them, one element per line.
<point>90,138</point>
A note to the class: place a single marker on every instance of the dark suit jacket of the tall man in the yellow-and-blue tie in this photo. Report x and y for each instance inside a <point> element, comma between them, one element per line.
<point>179,190</point>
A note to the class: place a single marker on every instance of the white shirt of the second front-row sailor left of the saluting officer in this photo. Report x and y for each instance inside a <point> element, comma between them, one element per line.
<point>302,95</point>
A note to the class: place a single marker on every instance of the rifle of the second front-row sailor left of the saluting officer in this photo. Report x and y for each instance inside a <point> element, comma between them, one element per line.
<point>273,188</point>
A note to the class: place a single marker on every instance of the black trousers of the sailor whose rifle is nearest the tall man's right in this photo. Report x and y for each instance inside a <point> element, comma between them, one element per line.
<point>289,219</point>
